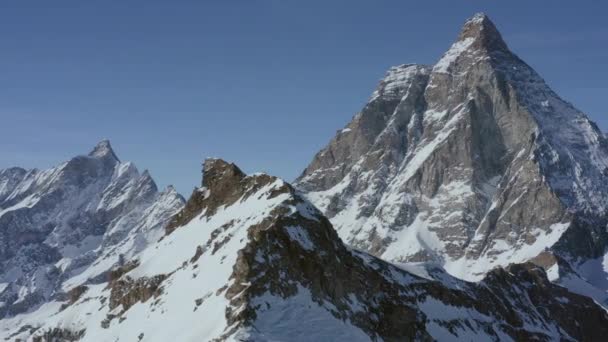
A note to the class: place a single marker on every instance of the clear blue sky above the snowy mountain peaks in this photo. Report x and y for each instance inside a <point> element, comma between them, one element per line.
<point>262,83</point>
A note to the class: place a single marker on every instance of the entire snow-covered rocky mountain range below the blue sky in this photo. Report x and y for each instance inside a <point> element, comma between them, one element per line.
<point>466,201</point>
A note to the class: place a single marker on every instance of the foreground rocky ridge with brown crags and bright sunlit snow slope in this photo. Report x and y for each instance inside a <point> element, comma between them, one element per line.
<point>249,259</point>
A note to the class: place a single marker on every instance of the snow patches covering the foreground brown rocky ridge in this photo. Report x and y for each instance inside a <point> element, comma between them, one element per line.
<point>205,280</point>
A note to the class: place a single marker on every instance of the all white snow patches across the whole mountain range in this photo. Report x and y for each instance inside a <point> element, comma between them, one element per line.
<point>569,150</point>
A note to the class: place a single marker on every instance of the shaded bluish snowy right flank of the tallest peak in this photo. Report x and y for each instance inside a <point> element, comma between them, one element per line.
<point>569,147</point>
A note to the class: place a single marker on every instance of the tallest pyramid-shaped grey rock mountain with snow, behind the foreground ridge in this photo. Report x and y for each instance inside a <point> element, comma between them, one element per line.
<point>470,164</point>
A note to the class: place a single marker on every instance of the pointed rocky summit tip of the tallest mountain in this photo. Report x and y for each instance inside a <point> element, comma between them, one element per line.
<point>480,28</point>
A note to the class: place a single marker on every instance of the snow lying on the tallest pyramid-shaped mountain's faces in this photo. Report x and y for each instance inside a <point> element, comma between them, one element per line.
<point>382,203</point>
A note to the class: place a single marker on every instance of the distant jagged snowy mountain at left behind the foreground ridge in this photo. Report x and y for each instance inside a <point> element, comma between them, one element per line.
<point>70,224</point>
